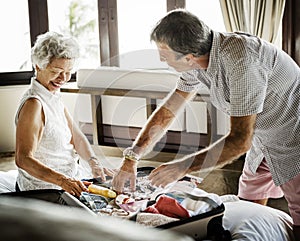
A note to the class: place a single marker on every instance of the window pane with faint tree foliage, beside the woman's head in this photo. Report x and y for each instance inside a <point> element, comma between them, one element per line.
<point>79,19</point>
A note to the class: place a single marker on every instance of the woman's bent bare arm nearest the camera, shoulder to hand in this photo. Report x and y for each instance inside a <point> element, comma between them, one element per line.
<point>28,134</point>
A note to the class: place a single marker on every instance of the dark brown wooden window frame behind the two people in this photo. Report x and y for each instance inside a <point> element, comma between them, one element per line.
<point>108,33</point>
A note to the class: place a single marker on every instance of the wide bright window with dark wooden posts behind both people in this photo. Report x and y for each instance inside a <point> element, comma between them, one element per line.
<point>22,21</point>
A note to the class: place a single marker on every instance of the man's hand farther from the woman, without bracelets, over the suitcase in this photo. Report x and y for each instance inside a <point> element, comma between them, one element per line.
<point>168,173</point>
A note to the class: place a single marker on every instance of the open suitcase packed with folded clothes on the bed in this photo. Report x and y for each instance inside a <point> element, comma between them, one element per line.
<point>181,207</point>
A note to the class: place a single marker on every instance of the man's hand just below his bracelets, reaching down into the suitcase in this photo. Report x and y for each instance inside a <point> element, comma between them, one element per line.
<point>127,172</point>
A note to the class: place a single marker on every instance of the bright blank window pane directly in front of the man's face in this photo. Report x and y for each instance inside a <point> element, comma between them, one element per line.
<point>136,19</point>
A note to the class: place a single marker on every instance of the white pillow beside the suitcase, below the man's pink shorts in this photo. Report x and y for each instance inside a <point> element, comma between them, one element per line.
<point>250,221</point>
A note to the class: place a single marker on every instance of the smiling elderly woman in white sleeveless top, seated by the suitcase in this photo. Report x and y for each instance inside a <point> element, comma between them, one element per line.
<point>48,142</point>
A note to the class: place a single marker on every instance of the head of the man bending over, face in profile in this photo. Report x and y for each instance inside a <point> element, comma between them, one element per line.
<point>183,41</point>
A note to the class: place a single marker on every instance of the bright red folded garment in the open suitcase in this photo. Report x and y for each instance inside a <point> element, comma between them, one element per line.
<point>168,206</point>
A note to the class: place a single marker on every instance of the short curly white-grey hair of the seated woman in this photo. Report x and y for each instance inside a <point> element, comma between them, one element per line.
<point>51,45</point>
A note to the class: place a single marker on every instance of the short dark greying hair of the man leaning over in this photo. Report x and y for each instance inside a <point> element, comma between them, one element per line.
<point>183,32</point>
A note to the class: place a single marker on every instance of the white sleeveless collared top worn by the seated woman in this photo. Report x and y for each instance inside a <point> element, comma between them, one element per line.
<point>54,149</point>
